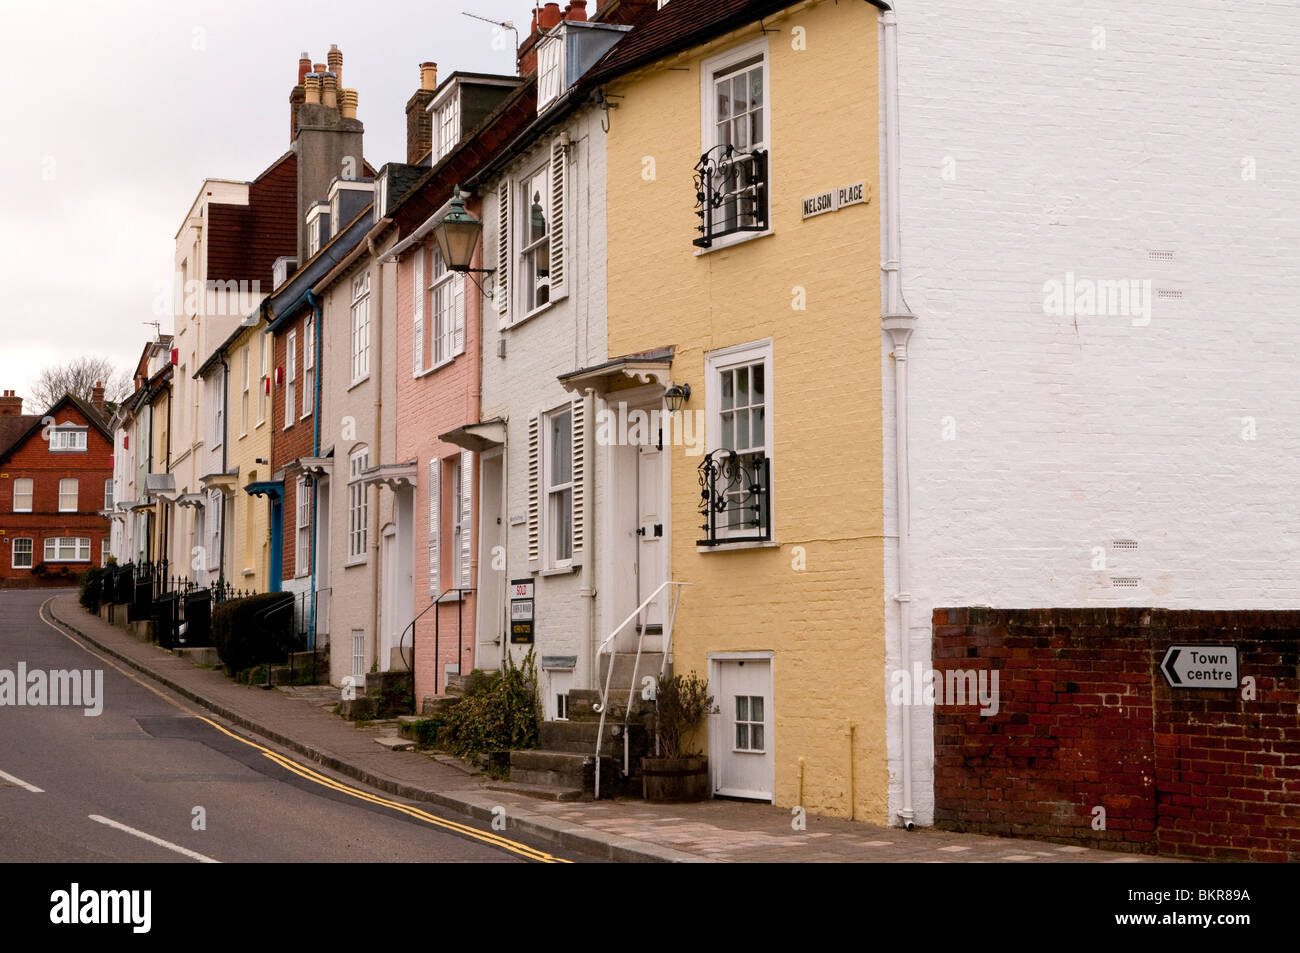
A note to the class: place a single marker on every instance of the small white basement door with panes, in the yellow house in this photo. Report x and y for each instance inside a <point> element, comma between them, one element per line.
<point>740,738</point>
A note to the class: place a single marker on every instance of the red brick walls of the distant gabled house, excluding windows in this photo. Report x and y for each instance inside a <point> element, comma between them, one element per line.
<point>32,460</point>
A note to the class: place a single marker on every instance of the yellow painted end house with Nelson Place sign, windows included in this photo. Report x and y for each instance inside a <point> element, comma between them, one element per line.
<point>744,248</point>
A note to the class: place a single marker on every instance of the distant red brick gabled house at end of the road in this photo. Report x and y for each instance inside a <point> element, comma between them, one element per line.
<point>57,478</point>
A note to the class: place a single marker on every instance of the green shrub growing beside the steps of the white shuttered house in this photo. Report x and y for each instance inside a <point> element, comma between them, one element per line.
<point>501,713</point>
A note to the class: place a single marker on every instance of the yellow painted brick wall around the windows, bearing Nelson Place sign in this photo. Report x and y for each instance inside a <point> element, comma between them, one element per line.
<point>826,623</point>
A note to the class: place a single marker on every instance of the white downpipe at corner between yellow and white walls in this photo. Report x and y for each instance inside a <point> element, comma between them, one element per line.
<point>899,322</point>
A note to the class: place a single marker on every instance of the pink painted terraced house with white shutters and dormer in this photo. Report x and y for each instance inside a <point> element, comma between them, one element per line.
<point>439,427</point>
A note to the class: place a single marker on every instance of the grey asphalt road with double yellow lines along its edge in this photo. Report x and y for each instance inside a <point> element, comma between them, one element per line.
<point>128,786</point>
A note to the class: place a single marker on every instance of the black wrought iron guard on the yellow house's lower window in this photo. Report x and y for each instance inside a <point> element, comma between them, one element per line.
<point>731,484</point>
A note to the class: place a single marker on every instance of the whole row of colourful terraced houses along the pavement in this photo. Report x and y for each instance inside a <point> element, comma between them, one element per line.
<point>801,345</point>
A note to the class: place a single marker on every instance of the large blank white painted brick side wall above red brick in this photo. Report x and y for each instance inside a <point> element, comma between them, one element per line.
<point>1074,432</point>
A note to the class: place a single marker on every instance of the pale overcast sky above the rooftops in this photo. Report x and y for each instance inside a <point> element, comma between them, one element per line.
<point>119,111</point>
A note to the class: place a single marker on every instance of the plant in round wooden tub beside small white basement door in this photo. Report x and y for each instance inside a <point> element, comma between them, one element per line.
<point>678,774</point>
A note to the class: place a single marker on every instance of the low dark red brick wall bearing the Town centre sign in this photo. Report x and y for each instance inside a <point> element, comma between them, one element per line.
<point>1086,720</point>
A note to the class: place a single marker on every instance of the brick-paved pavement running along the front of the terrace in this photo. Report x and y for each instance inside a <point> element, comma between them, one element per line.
<point>613,830</point>
